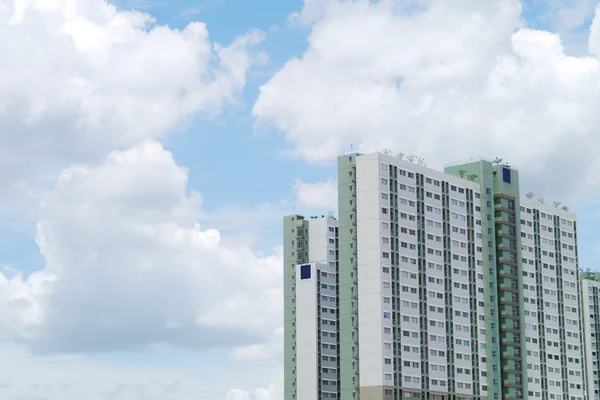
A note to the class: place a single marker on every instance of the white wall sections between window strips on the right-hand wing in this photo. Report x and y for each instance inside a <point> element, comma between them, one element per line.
<point>574,342</point>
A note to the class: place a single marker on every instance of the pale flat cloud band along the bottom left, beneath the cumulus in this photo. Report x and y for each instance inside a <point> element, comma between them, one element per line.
<point>141,376</point>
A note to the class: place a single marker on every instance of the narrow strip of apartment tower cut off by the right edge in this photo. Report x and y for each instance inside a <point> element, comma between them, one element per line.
<point>590,296</point>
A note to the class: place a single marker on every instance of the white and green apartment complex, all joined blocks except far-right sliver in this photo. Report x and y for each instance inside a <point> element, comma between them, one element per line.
<point>448,286</point>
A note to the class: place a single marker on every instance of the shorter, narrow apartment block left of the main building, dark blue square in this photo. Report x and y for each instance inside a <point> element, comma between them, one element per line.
<point>311,352</point>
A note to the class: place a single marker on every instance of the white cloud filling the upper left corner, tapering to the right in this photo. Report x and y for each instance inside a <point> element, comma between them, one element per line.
<point>79,78</point>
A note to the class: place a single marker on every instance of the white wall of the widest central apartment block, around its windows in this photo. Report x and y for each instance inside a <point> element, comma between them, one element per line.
<point>372,278</point>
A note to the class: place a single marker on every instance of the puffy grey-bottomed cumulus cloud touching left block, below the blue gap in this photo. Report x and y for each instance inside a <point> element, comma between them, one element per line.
<point>128,266</point>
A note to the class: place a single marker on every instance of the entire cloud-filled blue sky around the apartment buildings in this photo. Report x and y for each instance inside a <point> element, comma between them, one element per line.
<point>340,89</point>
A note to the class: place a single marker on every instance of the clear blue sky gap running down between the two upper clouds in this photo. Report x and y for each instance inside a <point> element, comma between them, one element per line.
<point>232,133</point>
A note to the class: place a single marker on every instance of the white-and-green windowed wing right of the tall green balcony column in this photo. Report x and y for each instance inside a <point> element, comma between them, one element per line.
<point>551,303</point>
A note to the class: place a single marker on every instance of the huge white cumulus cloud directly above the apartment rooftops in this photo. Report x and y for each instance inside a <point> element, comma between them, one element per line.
<point>442,80</point>
